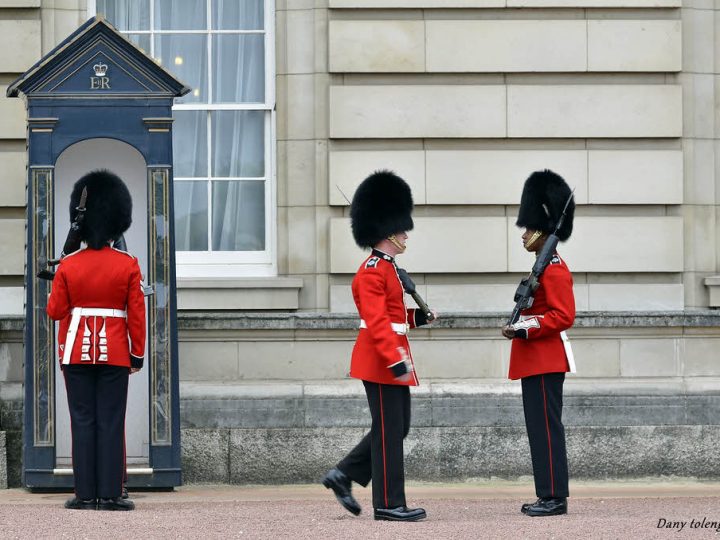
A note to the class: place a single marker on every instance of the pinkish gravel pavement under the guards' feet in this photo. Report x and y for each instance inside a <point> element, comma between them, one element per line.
<point>456,511</point>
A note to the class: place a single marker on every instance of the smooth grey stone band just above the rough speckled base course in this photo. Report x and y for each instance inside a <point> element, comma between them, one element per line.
<point>448,404</point>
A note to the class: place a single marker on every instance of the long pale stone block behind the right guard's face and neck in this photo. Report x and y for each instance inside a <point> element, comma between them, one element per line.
<point>594,237</point>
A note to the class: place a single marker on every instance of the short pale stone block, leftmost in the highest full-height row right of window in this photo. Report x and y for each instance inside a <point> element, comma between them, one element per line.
<point>396,46</point>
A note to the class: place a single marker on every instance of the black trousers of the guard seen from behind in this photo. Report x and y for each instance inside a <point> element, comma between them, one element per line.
<point>97,398</point>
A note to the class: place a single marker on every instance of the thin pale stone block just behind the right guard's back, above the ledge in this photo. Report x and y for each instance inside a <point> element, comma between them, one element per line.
<point>636,297</point>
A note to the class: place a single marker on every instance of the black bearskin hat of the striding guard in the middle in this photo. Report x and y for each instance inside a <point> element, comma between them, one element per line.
<point>382,206</point>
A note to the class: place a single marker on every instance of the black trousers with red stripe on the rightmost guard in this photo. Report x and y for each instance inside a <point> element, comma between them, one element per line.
<point>542,403</point>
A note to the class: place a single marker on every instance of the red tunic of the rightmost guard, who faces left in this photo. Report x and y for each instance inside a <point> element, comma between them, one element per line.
<point>552,312</point>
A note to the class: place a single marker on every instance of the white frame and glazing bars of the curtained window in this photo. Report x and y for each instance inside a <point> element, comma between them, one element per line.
<point>208,264</point>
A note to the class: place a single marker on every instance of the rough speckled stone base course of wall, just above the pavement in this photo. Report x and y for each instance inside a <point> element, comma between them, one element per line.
<point>279,456</point>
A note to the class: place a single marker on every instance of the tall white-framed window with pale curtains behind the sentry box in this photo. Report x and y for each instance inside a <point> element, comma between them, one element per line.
<point>223,133</point>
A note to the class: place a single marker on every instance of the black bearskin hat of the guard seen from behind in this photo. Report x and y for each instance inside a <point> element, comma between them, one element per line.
<point>108,206</point>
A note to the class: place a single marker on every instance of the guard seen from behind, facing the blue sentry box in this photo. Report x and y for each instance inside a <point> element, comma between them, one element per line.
<point>97,298</point>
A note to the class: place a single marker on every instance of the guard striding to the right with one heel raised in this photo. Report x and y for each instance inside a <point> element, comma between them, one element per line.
<point>381,215</point>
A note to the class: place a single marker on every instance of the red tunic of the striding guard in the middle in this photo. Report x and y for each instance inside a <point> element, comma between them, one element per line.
<point>380,301</point>
